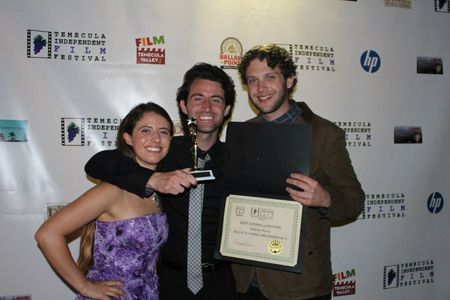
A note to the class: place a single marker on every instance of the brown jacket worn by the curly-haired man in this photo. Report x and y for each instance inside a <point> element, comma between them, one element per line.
<point>330,164</point>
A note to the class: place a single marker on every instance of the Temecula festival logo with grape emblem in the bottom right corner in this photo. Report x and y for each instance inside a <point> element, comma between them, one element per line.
<point>408,274</point>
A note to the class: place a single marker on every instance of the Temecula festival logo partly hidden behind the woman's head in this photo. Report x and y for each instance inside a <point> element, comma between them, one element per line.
<point>90,131</point>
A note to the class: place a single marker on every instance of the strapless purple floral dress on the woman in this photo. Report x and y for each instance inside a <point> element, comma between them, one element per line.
<point>127,250</point>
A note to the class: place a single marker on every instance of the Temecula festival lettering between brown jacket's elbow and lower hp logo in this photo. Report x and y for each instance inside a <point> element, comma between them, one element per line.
<point>384,206</point>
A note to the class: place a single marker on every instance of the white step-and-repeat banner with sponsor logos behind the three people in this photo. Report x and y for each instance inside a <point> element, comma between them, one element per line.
<point>379,69</point>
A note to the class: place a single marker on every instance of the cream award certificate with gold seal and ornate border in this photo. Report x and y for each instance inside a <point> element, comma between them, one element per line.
<point>261,229</point>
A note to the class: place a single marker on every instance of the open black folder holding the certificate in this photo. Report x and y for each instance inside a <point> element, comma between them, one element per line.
<point>259,158</point>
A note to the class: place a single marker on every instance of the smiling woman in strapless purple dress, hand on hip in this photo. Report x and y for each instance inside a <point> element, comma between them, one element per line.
<point>122,232</point>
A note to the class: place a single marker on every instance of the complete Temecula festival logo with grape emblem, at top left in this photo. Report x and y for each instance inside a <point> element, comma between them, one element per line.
<point>69,46</point>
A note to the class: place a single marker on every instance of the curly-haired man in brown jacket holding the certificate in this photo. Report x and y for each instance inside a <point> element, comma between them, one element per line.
<point>331,191</point>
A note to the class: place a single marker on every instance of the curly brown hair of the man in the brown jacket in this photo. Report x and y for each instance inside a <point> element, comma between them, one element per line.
<point>274,55</point>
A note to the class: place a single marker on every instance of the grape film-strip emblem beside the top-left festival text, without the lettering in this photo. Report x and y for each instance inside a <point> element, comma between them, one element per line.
<point>38,40</point>
